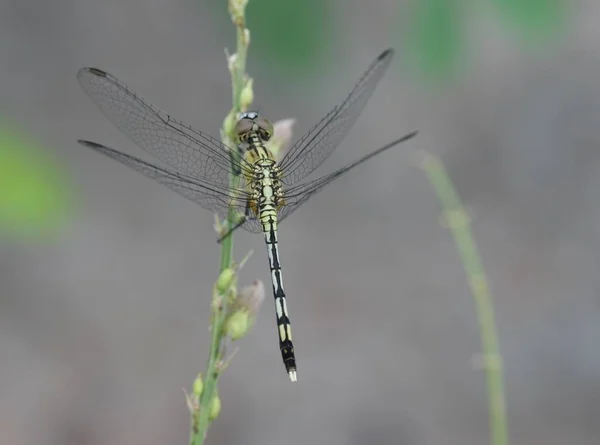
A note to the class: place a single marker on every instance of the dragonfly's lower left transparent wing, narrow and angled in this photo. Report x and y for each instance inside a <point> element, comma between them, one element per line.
<point>208,195</point>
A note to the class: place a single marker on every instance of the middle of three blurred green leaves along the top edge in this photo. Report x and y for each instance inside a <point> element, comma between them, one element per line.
<point>434,37</point>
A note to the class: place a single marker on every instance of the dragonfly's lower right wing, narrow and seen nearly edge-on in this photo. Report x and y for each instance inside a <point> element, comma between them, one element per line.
<point>298,195</point>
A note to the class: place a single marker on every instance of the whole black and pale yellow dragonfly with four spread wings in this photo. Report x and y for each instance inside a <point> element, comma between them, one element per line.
<point>200,167</point>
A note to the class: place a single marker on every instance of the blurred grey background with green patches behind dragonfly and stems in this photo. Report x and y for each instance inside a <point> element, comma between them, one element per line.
<point>105,275</point>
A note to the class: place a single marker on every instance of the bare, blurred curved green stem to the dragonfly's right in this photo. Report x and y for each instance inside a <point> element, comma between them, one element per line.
<point>458,221</point>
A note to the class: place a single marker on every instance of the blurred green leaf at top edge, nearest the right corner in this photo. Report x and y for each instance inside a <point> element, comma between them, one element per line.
<point>533,17</point>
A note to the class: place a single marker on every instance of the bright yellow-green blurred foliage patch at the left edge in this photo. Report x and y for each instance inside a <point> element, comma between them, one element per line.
<point>34,196</point>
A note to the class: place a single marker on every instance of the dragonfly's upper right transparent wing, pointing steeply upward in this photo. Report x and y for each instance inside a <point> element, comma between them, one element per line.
<point>318,144</point>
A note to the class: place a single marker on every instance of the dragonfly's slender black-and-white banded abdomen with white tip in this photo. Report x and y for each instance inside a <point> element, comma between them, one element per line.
<point>283,321</point>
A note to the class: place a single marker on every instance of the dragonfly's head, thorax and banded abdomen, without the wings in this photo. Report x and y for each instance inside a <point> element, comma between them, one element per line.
<point>267,197</point>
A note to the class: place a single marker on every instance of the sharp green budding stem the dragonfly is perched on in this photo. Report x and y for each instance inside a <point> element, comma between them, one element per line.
<point>200,414</point>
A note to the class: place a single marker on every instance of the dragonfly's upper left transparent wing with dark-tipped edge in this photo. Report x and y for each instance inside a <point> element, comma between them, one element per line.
<point>173,142</point>
